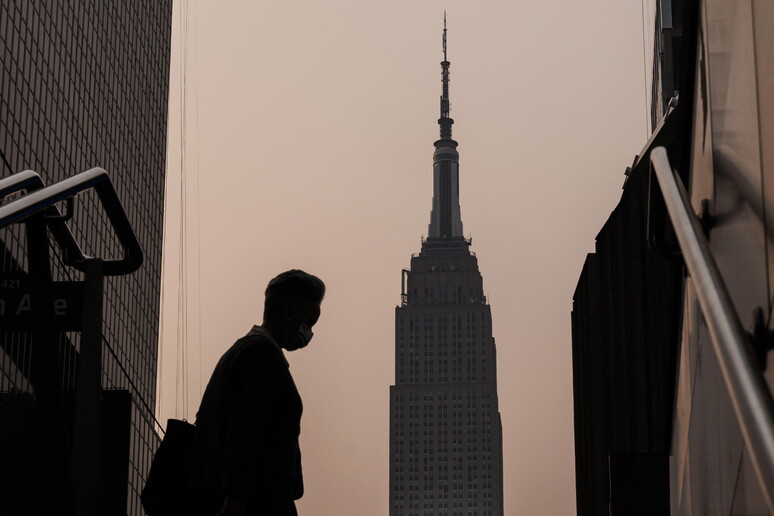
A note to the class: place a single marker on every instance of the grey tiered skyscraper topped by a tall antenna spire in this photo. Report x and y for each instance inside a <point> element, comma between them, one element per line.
<point>445,428</point>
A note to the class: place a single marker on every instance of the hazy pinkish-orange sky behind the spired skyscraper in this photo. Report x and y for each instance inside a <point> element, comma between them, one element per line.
<point>309,130</point>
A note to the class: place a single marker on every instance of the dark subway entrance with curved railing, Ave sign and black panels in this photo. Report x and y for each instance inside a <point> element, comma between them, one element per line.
<point>71,457</point>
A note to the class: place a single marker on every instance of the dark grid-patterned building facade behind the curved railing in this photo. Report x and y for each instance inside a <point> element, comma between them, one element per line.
<point>83,85</point>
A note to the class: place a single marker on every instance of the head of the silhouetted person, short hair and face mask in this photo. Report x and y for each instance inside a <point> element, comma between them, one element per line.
<point>292,306</point>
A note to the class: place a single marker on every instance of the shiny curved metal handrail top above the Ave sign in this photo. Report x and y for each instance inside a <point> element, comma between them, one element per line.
<point>44,198</point>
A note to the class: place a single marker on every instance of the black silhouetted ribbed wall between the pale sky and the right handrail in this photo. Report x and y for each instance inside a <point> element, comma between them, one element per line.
<point>625,327</point>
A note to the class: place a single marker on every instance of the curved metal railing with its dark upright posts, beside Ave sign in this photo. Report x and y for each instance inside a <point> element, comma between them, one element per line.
<point>38,210</point>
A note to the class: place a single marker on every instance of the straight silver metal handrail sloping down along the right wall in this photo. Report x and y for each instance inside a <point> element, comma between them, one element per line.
<point>744,380</point>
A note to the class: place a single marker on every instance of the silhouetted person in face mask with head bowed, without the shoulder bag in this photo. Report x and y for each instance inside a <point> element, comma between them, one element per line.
<point>246,459</point>
